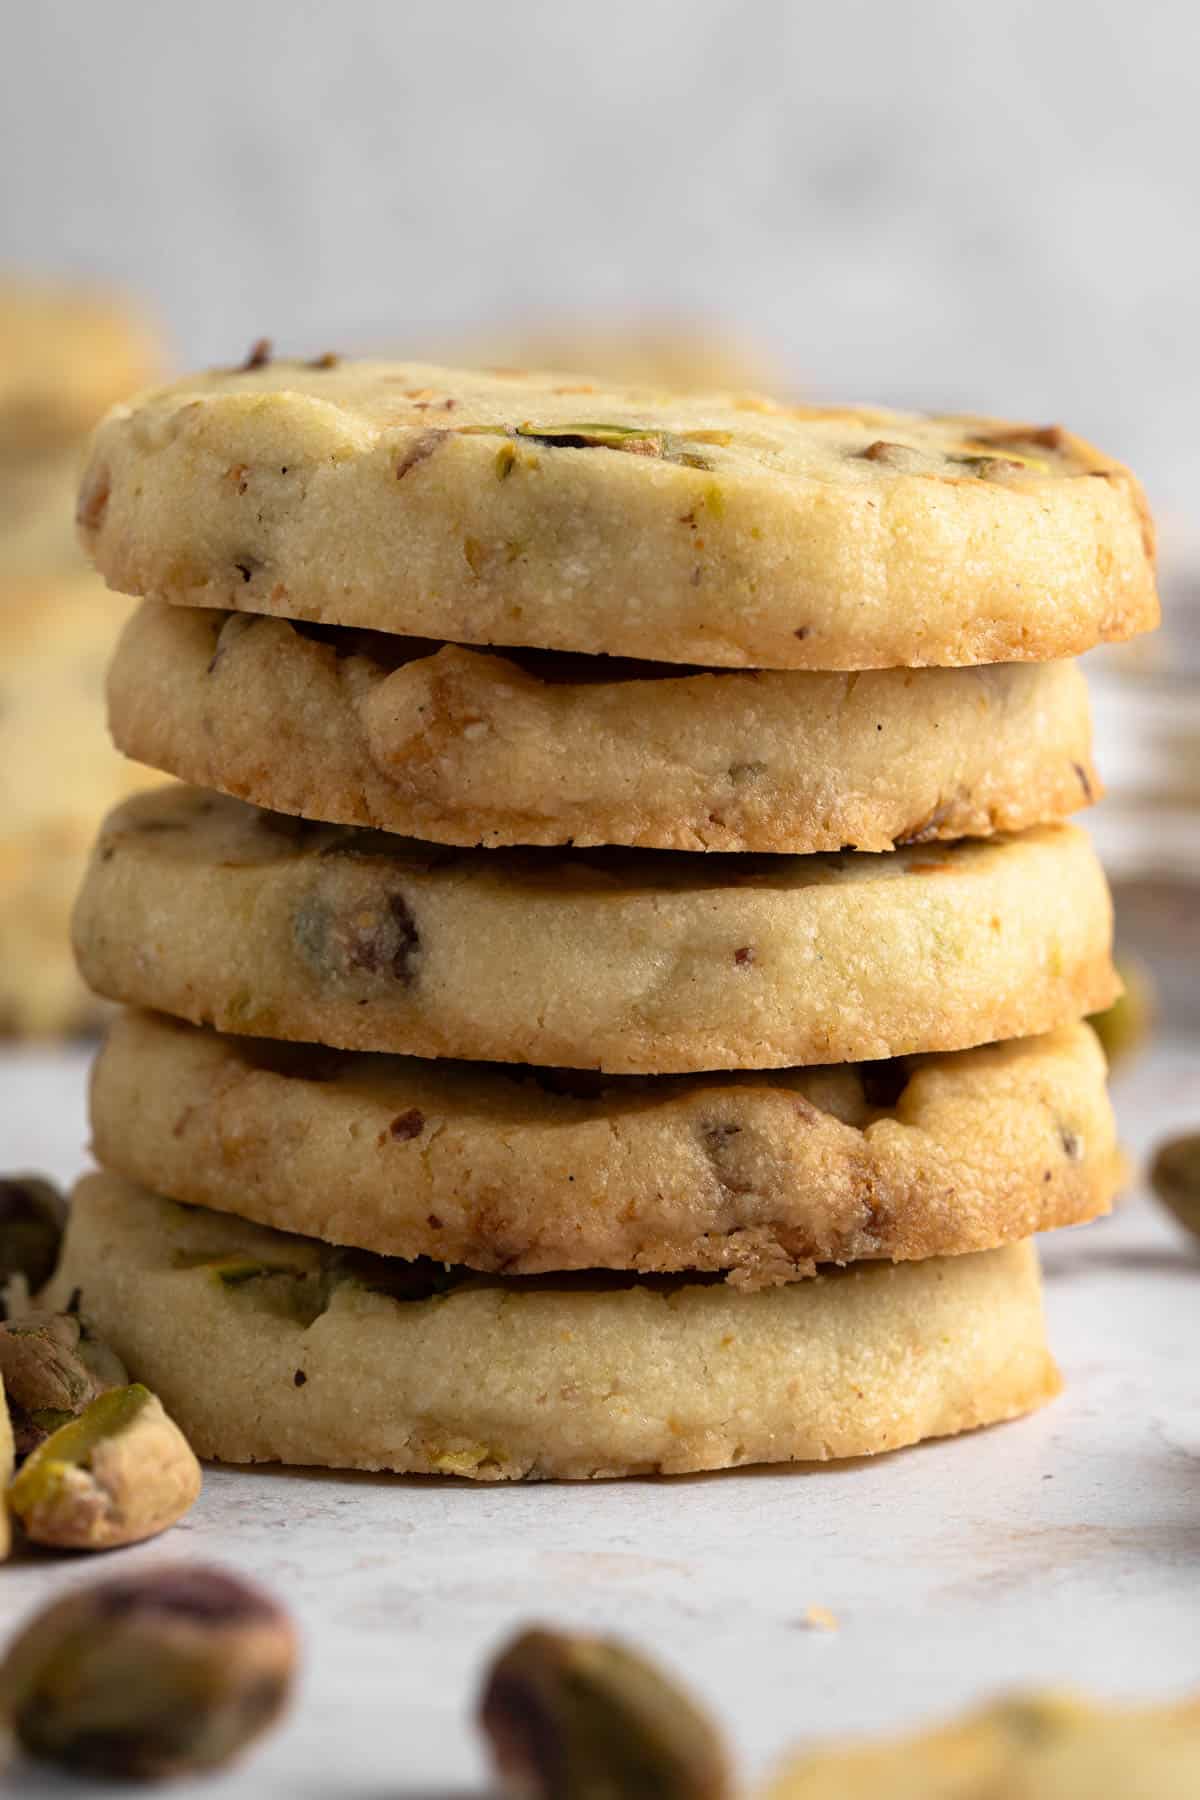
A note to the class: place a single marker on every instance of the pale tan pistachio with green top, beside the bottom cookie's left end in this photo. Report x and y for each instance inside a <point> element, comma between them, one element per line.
<point>118,1473</point>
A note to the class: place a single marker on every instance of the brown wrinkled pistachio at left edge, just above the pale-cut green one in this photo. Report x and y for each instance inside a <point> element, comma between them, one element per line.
<point>53,1369</point>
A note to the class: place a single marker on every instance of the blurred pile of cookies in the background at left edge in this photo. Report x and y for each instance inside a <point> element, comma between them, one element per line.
<point>67,352</point>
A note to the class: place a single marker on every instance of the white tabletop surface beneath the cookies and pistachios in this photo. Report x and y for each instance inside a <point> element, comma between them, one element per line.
<point>1066,1547</point>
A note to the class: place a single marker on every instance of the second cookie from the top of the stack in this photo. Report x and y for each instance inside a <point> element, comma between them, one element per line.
<point>542,748</point>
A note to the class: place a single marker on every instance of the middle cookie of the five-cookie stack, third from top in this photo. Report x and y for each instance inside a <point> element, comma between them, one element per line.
<point>634,962</point>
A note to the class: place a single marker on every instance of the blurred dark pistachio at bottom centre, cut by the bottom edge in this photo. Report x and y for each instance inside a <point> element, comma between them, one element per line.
<point>578,1718</point>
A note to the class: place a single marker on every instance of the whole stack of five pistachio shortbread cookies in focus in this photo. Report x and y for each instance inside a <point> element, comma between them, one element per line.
<point>645,1047</point>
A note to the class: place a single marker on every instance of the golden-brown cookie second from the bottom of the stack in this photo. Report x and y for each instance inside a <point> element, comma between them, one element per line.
<point>528,1171</point>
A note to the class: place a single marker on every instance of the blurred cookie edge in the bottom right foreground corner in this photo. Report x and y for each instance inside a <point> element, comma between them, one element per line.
<point>1039,1747</point>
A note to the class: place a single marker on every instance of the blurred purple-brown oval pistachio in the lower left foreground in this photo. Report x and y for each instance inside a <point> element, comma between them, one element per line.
<point>168,1671</point>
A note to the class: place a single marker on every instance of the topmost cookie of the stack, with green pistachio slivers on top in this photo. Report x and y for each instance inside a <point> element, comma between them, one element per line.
<point>537,510</point>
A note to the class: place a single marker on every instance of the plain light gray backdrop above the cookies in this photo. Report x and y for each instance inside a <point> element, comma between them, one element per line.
<point>933,202</point>
